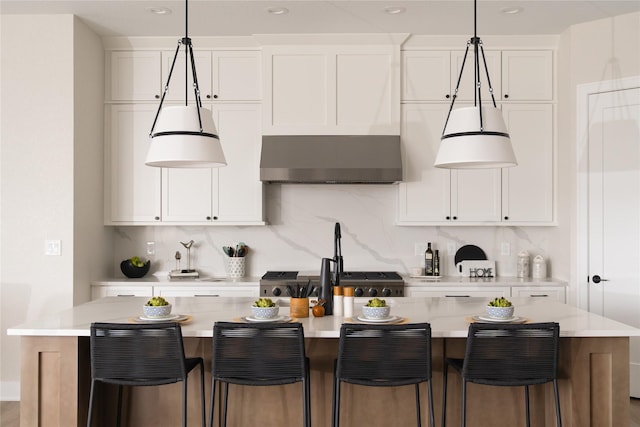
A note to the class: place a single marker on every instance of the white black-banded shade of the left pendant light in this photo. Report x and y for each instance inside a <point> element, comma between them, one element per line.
<point>177,141</point>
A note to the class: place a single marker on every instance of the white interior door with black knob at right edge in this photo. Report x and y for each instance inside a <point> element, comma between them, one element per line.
<point>614,212</point>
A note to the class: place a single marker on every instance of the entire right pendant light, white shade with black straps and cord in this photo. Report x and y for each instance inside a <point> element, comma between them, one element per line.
<point>475,137</point>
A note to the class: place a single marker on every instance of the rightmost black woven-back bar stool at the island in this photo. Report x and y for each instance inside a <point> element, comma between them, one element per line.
<point>508,355</point>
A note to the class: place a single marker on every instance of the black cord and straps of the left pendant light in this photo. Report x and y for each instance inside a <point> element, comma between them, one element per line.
<point>188,50</point>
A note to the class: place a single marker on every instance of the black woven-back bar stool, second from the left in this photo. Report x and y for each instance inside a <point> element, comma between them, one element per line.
<point>259,354</point>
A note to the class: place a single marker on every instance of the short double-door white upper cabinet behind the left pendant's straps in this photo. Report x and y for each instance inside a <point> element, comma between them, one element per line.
<point>222,75</point>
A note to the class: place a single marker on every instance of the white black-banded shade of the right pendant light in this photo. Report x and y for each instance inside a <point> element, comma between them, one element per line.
<point>465,146</point>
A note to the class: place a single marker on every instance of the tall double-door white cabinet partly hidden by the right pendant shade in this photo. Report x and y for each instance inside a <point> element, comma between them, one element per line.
<point>430,195</point>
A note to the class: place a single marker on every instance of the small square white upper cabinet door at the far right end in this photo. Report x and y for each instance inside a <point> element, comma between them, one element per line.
<point>527,75</point>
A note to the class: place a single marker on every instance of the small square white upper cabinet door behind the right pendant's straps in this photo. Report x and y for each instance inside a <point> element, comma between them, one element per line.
<point>466,90</point>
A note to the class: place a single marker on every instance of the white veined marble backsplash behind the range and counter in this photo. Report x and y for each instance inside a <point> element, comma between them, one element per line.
<point>300,229</point>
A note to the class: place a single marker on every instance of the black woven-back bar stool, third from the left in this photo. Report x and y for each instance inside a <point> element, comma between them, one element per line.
<point>384,356</point>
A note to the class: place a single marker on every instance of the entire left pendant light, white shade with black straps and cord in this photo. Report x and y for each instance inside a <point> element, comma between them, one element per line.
<point>184,136</point>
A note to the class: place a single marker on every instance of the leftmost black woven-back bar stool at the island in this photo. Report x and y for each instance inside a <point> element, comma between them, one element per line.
<point>141,355</point>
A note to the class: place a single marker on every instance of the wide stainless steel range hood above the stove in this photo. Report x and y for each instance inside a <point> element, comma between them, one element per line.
<point>331,159</point>
